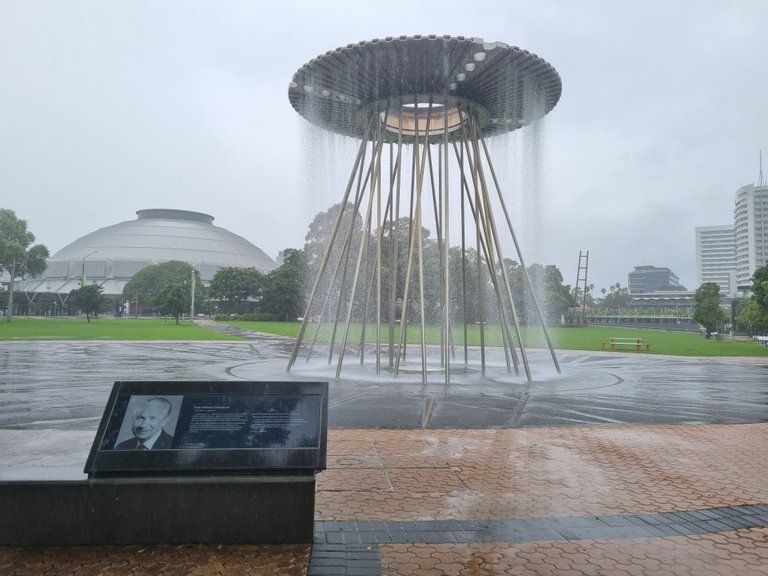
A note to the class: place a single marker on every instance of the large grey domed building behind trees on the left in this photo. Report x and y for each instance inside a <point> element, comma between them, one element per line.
<point>111,256</point>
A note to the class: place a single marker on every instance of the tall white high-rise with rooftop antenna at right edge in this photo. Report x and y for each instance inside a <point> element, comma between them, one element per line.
<point>750,218</point>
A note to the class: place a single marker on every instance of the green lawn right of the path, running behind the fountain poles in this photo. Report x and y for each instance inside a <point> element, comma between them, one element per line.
<point>582,338</point>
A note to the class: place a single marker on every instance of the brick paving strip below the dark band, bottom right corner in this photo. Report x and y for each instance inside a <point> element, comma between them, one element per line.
<point>742,552</point>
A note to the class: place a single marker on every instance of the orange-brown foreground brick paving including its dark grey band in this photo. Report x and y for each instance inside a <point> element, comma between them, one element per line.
<point>543,501</point>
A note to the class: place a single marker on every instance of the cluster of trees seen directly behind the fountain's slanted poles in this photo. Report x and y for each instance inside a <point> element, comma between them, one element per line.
<point>380,262</point>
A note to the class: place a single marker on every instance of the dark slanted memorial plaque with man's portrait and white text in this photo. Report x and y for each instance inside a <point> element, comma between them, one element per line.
<point>182,428</point>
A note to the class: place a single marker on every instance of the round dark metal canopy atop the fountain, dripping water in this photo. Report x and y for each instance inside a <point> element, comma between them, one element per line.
<point>417,85</point>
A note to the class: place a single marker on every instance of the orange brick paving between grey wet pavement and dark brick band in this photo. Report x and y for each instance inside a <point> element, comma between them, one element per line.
<point>541,472</point>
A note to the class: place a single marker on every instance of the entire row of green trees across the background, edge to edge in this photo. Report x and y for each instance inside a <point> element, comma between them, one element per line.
<point>167,288</point>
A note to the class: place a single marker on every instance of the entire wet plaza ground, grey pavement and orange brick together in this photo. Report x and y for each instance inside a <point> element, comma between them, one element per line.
<point>624,464</point>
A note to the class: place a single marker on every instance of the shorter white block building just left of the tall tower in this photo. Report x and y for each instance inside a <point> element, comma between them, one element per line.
<point>716,257</point>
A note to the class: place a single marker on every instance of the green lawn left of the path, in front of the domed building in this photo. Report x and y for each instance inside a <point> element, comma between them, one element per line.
<point>104,328</point>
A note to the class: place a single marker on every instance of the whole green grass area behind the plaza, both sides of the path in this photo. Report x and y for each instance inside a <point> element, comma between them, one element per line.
<point>586,338</point>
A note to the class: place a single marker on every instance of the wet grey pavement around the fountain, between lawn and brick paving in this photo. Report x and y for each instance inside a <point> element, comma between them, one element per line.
<point>65,385</point>
